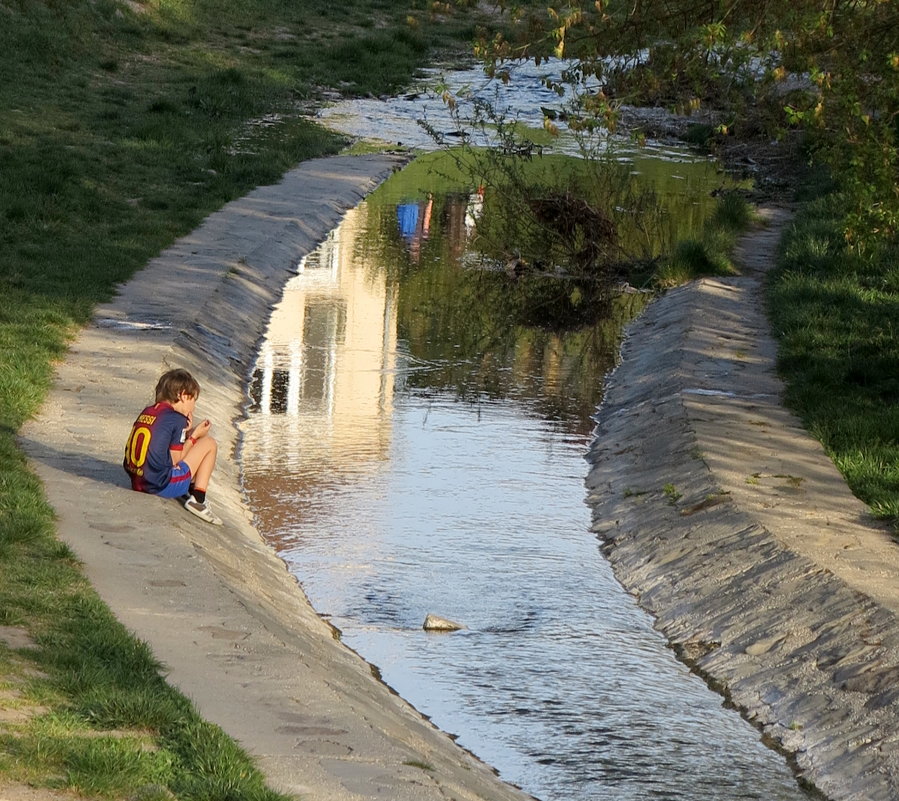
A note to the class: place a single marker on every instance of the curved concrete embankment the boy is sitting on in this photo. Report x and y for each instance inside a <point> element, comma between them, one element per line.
<point>216,605</point>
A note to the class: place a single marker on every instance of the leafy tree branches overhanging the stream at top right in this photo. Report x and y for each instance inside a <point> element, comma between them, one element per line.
<point>828,67</point>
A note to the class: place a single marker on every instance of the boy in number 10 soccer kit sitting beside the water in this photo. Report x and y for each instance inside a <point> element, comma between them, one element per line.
<point>166,455</point>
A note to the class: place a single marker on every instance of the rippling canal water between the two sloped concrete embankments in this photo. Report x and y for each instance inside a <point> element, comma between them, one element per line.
<point>412,446</point>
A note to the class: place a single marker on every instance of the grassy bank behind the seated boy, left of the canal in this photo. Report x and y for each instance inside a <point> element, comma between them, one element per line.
<point>122,125</point>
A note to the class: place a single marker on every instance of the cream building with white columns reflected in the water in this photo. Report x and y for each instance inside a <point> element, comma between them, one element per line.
<point>324,374</point>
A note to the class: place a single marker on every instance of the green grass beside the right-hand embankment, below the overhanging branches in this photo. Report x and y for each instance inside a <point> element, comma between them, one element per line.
<point>836,313</point>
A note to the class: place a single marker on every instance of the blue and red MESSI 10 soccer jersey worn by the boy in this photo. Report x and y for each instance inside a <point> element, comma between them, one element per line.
<point>158,430</point>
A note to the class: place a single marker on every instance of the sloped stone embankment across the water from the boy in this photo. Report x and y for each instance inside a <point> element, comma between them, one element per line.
<point>732,527</point>
